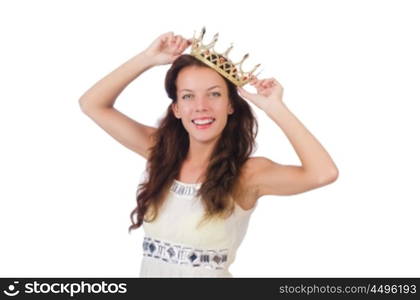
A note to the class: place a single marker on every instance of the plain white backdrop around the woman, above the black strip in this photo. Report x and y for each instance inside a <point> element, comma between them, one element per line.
<point>350,72</point>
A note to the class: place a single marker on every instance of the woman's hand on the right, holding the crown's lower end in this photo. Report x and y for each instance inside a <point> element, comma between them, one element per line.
<point>269,93</point>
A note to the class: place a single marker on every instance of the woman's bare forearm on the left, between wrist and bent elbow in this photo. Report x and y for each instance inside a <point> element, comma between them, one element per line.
<point>105,91</point>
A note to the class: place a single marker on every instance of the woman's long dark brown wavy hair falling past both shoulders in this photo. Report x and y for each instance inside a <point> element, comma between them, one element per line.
<point>170,148</point>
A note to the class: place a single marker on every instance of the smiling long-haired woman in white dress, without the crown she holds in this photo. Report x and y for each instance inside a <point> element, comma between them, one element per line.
<point>202,185</point>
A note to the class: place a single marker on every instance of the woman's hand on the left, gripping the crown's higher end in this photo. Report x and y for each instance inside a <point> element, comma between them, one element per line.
<point>166,48</point>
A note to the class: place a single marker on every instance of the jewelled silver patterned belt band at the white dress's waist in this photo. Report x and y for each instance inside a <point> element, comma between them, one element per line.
<point>184,255</point>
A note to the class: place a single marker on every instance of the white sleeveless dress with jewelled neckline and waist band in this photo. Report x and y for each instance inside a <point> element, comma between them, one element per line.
<point>173,247</point>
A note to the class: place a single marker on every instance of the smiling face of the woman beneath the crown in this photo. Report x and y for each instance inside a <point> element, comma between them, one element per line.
<point>202,102</point>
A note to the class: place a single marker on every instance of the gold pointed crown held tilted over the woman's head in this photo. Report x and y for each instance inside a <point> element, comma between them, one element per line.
<point>219,61</point>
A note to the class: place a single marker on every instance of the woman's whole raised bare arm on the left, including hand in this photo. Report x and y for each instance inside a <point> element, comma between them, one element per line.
<point>98,101</point>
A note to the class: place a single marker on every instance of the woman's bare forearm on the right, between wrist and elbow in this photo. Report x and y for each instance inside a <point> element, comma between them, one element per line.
<point>314,158</point>
